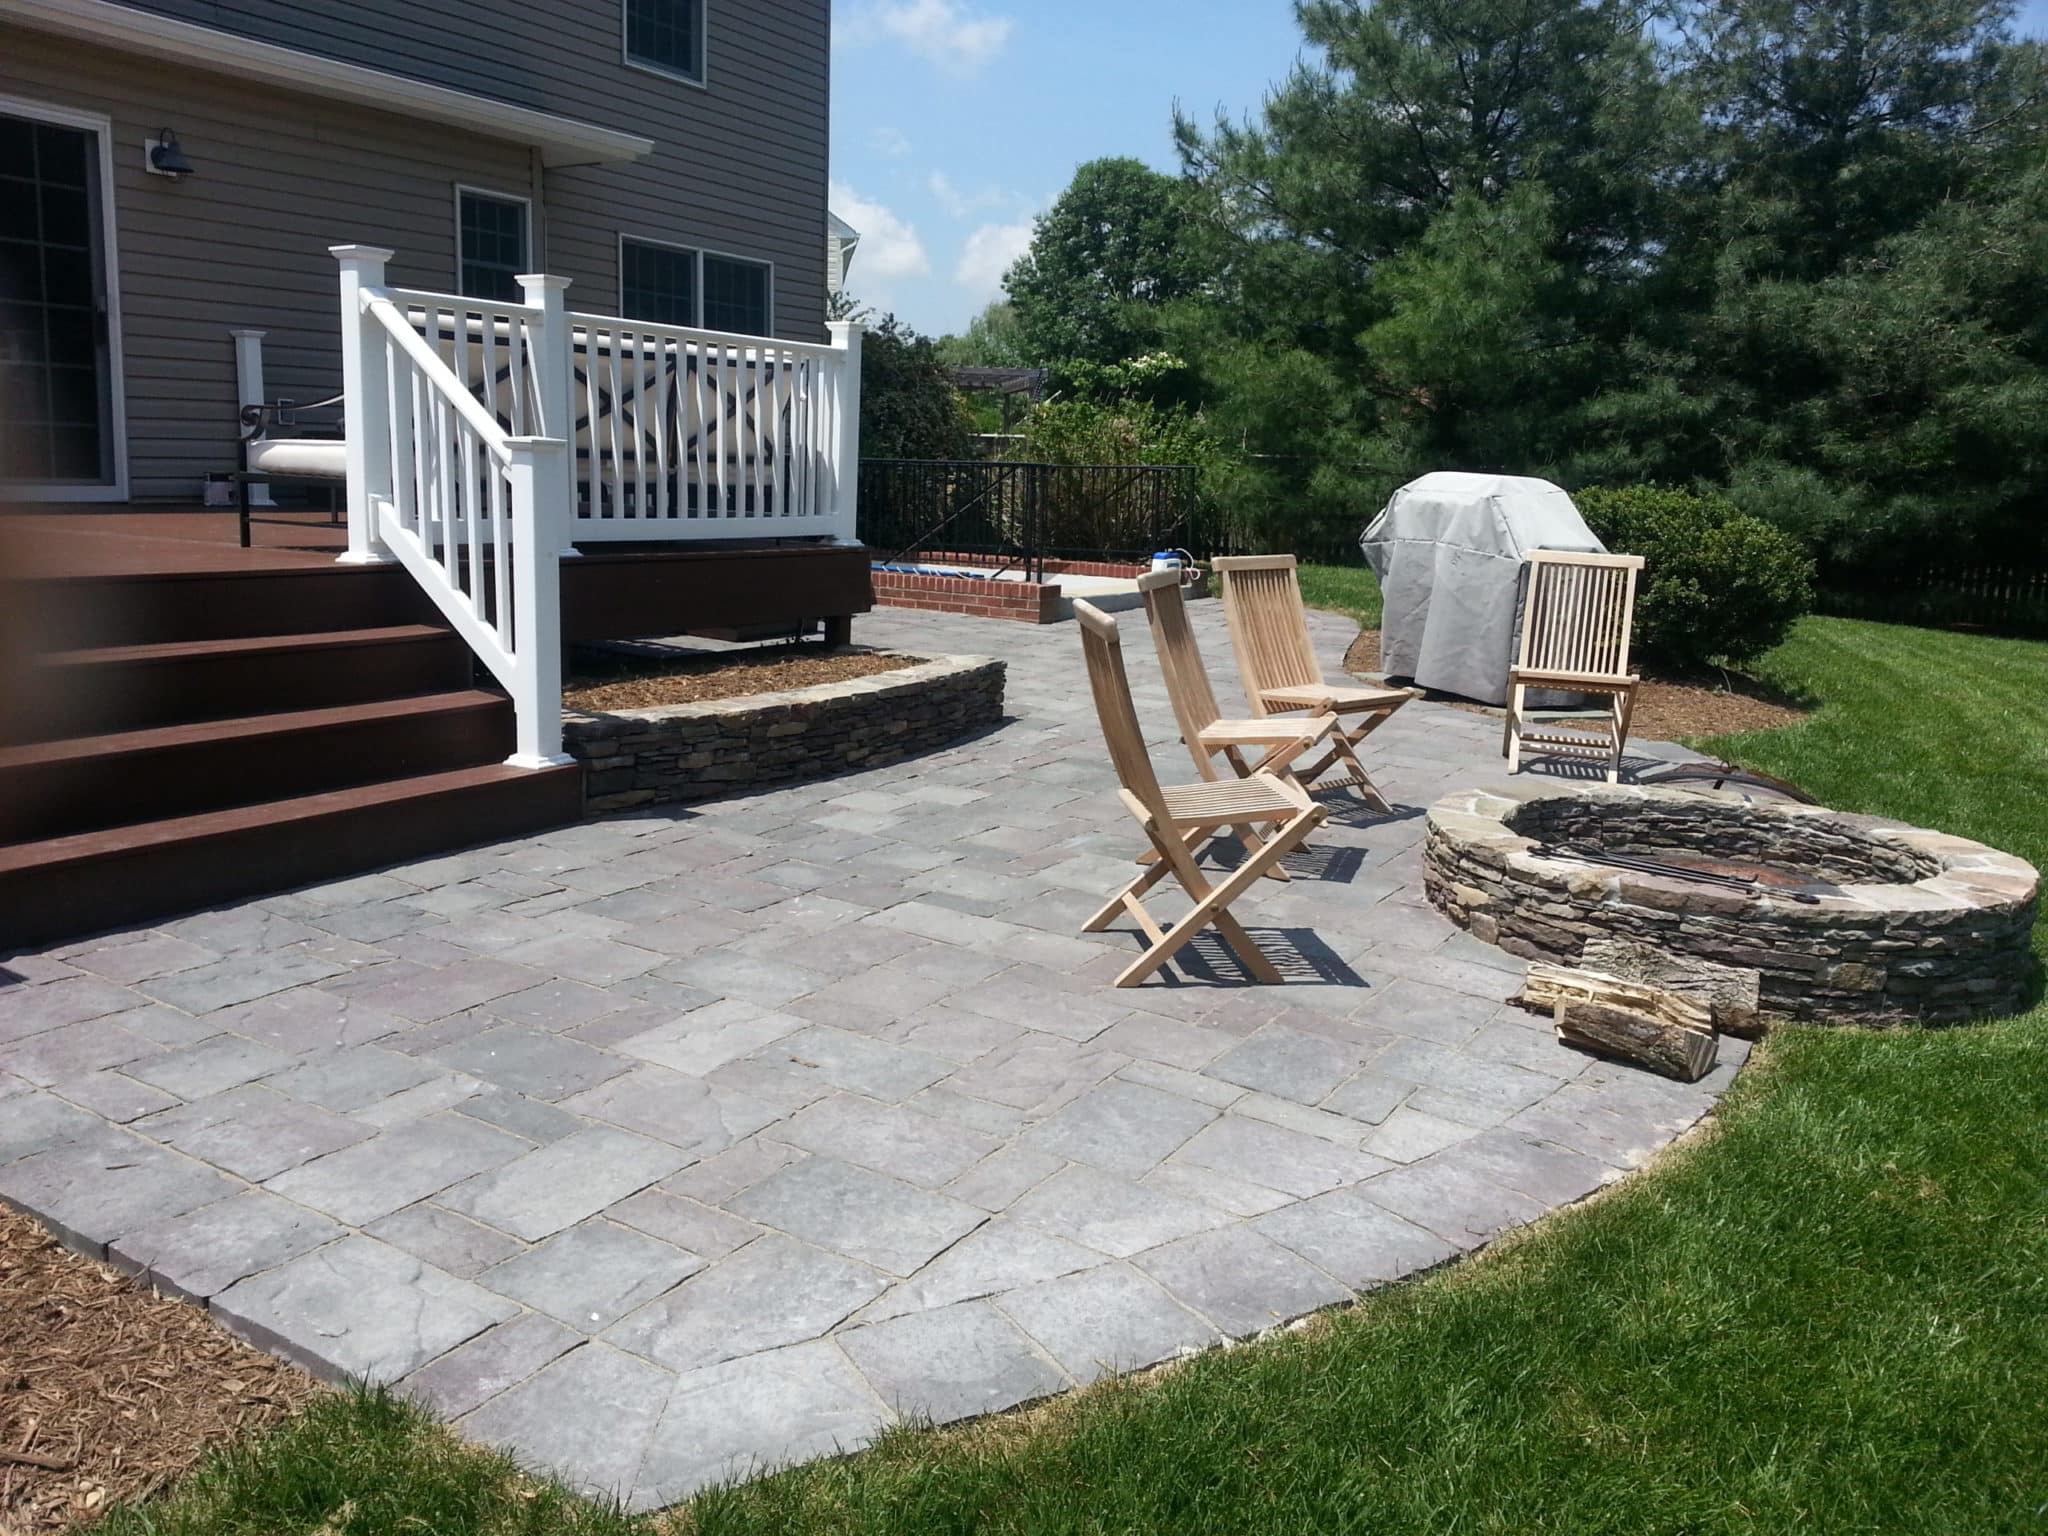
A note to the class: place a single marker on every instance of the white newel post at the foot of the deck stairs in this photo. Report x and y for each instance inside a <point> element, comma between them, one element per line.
<point>536,480</point>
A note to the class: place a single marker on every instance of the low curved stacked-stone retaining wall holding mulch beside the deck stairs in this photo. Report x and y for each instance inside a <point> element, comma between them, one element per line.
<point>693,753</point>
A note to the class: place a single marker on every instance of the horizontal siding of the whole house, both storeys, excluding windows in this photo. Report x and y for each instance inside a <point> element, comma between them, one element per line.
<point>738,167</point>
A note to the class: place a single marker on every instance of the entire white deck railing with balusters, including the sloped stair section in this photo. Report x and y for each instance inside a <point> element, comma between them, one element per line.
<point>488,439</point>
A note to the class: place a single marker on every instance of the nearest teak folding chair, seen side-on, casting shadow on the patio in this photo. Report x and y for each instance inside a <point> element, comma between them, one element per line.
<point>1181,818</point>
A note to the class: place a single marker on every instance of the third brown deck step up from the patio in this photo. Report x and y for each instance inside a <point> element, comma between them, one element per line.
<point>173,683</point>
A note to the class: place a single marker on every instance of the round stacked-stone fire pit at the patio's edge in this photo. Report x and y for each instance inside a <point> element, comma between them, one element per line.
<point>1904,923</point>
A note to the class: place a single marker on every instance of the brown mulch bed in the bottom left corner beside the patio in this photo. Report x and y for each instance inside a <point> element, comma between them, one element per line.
<point>110,1392</point>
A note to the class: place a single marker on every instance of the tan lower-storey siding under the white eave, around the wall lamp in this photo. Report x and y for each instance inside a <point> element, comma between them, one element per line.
<point>245,241</point>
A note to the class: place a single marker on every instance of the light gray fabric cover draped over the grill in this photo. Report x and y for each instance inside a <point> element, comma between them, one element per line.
<point>1449,554</point>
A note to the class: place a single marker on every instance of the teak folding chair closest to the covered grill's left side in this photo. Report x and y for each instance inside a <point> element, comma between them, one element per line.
<point>1281,675</point>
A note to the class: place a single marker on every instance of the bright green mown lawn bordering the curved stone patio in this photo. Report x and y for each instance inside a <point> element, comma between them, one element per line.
<point>1830,1316</point>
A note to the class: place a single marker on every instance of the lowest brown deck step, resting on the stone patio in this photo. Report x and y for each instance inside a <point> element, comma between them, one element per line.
<point>91,882</point>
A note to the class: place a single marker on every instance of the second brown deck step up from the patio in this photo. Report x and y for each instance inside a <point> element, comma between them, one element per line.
<point>91,783</point>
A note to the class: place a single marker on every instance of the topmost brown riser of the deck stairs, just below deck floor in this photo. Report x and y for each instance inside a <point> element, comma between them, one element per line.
<point>136,607</point>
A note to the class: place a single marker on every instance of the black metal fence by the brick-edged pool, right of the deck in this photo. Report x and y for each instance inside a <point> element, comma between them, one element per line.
<point>914,509</point>
